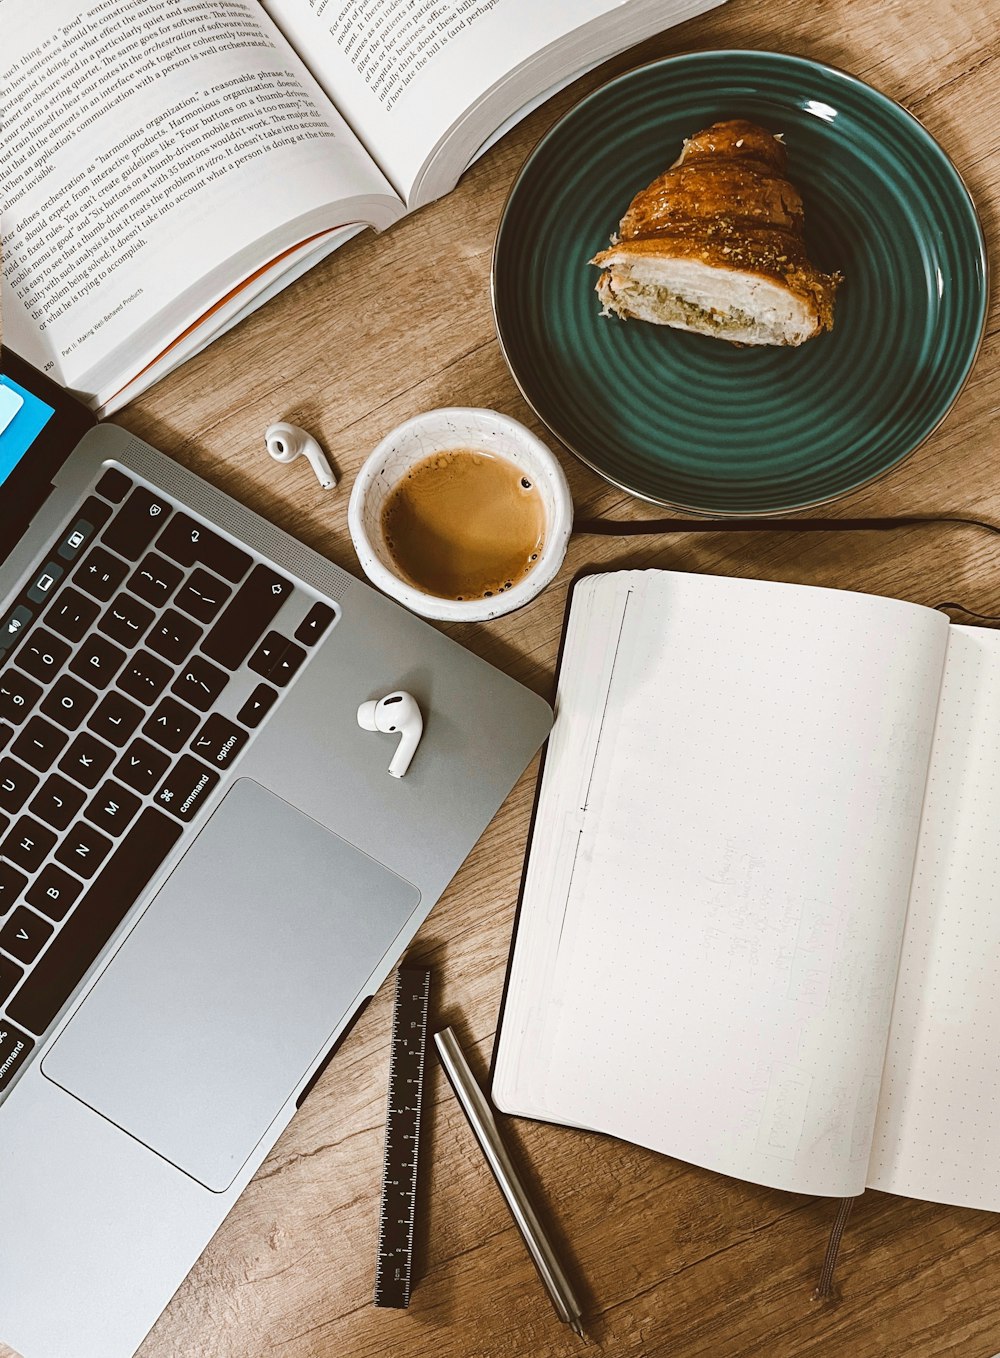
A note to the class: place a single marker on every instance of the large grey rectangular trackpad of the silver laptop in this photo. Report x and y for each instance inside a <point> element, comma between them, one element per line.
<point>232,984</point>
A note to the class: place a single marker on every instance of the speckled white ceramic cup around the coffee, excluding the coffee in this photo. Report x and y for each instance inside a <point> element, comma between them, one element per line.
<point>437,431</point>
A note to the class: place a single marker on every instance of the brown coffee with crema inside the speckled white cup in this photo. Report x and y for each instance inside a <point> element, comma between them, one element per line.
<point>464,525</point>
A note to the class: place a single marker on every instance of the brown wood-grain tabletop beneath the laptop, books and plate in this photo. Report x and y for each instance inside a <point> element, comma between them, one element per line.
<point>671,1260</point>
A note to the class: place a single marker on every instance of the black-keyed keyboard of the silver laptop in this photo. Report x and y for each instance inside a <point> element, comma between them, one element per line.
<point>118,719</point>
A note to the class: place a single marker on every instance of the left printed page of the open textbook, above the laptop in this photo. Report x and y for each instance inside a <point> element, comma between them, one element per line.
<point>154,154</point>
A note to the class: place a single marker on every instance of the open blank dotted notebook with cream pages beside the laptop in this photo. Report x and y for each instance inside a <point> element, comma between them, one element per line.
<point>760,921</point>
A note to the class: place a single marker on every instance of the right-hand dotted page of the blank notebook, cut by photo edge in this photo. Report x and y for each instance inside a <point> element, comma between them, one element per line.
<point>938,1131</point>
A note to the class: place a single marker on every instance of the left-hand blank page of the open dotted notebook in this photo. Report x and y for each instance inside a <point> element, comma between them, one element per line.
<point>718,972</point>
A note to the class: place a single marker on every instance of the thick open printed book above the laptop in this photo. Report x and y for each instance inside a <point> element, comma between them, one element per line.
<point>169,165</point>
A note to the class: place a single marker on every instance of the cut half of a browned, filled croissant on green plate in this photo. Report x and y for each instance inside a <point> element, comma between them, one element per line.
<point>715,245</point>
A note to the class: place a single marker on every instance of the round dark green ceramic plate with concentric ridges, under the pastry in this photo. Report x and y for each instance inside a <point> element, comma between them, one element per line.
<point>695,423</point>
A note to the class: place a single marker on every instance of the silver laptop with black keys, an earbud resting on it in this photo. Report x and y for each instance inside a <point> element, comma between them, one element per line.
<point>206,870</point>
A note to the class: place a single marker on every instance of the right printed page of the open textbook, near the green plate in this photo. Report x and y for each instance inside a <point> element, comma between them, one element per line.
<point>406,71</point>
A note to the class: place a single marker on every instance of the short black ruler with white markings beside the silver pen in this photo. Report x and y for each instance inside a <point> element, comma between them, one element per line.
<point>395,1270</point>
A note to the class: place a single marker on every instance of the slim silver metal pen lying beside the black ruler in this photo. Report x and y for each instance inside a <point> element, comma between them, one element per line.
<point>476,1107</point>
